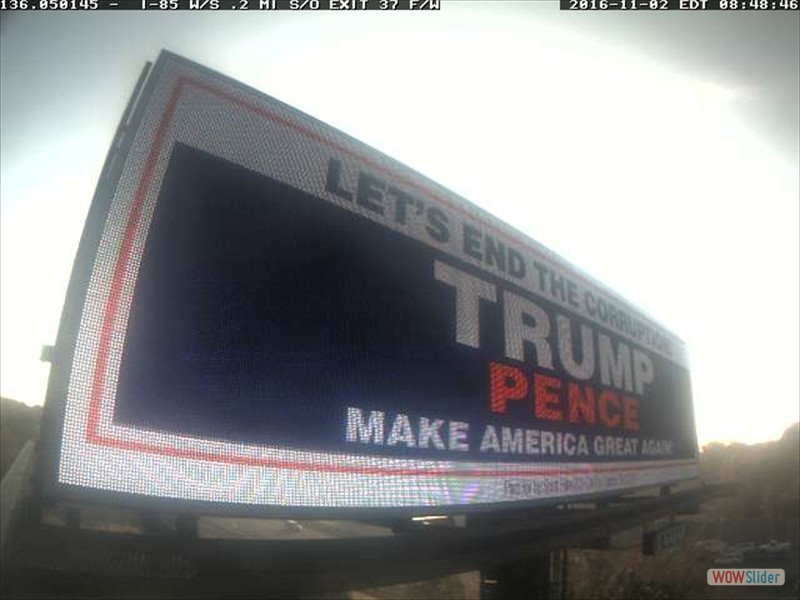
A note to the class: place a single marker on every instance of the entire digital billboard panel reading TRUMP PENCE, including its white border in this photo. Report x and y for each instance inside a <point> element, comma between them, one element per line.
<point>273,315</point>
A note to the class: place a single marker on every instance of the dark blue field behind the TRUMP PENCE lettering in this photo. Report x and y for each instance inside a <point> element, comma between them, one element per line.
<point>261,313</point>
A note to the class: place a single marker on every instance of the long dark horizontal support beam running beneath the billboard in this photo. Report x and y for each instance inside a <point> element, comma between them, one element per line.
<point>503,549</point>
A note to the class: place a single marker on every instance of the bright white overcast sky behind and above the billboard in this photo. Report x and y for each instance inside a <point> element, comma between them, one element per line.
<point>641,175</point>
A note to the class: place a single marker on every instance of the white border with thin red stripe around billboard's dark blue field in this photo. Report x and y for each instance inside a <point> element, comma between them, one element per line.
<point>192,106</point>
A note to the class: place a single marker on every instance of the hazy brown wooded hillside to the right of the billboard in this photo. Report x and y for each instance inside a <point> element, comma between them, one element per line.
<point>766,507</point>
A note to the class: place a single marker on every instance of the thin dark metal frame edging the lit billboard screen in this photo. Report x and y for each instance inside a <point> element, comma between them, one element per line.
<point>65,349</point>
